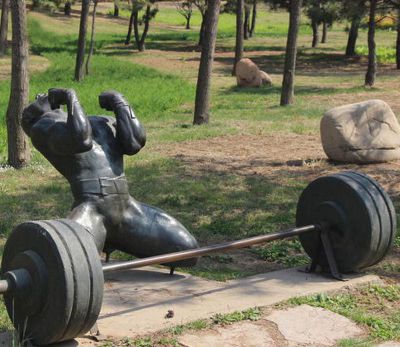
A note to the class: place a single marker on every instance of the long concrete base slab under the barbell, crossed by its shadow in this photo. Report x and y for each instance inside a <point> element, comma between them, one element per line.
<point>137,301</point>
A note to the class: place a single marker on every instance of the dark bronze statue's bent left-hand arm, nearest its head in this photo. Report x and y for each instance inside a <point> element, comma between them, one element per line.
<point>74,136</point>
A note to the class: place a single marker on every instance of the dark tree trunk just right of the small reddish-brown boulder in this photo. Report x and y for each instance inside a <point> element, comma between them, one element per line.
<point>287,95</point>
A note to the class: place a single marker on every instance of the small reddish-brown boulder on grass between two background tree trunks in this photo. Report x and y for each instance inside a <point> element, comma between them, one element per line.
<point>249,75</point>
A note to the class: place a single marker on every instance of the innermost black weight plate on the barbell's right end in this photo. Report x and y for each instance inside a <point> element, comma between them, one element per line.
<point>344,204</point>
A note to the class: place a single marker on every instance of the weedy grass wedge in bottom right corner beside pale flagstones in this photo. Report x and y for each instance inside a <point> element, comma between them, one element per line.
<point>375,307</point>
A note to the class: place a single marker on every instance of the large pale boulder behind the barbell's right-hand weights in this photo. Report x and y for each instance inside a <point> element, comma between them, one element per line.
<point>366,132</point>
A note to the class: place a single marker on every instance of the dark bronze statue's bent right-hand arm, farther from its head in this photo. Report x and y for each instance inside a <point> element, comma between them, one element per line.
<point>130,133</point>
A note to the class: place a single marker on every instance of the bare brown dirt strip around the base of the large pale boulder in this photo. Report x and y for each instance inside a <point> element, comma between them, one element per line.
<point>270,156</point>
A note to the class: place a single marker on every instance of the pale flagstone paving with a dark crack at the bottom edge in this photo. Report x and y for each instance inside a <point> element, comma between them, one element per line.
<point>300,326</point>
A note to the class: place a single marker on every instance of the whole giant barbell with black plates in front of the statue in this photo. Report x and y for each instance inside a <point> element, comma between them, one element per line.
<point>52,276</point>
